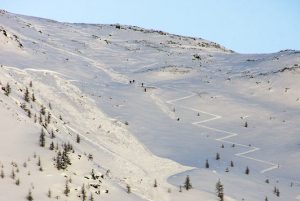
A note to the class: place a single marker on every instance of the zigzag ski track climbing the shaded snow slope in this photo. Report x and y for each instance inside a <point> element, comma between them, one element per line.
<point>228,136</point>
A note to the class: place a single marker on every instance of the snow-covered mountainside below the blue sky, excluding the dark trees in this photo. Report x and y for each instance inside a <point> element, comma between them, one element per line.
<point>189,96</point>
